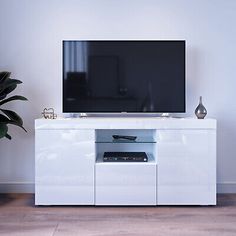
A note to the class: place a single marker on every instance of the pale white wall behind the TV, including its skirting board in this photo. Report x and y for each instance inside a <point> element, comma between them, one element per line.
<point>30,47</point>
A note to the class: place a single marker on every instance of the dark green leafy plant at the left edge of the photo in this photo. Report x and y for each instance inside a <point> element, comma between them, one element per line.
<point>7,85</point>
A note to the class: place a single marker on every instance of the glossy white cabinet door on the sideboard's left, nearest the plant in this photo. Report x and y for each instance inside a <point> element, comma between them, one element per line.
<point>64,167</point>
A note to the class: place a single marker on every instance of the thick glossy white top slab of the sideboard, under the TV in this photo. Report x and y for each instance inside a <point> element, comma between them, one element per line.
<point>125,123</point>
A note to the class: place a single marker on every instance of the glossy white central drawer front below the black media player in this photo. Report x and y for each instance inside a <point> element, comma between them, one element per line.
<point>125,184</point>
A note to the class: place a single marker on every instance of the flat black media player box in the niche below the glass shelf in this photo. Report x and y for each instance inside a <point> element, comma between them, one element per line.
<point>125,157</point>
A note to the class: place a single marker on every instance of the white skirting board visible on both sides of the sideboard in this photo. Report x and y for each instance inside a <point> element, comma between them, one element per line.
<point>27,187</point>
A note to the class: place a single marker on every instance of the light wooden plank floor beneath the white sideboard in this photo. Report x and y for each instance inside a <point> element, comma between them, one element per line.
<point>19,216</point>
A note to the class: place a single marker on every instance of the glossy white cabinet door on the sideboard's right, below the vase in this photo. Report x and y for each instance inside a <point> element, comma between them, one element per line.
<point>186,167</point>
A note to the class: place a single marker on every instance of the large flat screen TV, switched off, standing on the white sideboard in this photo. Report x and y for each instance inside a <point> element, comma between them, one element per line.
<point>116,76</point>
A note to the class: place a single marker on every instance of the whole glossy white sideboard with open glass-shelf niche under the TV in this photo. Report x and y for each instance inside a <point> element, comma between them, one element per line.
<point>181,169</point>
